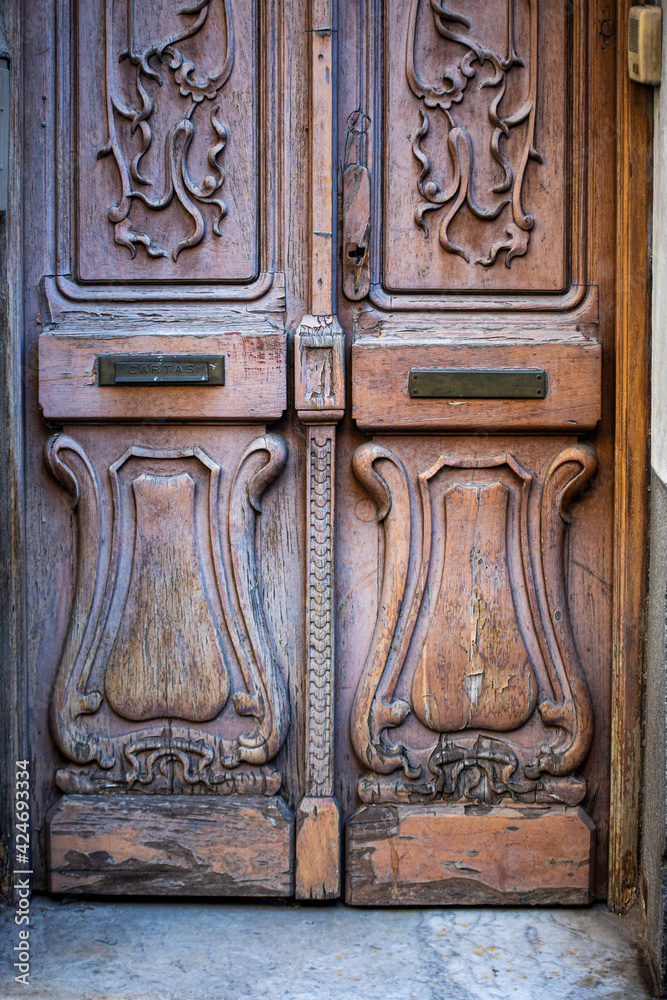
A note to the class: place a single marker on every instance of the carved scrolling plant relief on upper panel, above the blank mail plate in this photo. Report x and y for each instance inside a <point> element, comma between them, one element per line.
<point>467,57</point>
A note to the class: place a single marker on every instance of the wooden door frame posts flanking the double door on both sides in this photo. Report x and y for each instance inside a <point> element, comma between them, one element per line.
<point>633,310</point>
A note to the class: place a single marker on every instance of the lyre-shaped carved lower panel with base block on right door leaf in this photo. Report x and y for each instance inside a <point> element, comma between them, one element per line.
<point>472,716</point>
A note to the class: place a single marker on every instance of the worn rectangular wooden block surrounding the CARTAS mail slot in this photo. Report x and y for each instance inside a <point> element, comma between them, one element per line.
<point>254,389</point>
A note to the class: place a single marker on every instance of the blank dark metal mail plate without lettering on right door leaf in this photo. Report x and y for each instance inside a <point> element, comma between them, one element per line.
<point>476,383</point>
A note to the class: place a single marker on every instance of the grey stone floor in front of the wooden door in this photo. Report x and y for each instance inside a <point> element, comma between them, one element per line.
<point>226,951</point>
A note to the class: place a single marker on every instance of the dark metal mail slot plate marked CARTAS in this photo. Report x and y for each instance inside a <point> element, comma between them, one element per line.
<point>160,369</point>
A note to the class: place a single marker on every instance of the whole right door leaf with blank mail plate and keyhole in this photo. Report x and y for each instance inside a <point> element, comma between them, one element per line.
<point>474,510</point>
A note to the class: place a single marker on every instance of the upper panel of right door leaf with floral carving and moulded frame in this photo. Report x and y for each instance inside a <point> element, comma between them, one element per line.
<point>472,116</point>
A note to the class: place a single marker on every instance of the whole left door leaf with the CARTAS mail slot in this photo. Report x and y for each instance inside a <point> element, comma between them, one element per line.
<point>168,516</point>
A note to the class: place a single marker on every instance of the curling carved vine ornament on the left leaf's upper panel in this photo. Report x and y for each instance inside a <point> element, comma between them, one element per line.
<point>162,67</point>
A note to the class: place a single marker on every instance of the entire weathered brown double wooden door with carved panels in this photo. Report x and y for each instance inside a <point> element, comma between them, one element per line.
<point>321,483</point>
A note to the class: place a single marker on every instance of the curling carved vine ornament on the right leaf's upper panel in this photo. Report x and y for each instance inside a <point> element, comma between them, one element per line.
<point>477,154</point>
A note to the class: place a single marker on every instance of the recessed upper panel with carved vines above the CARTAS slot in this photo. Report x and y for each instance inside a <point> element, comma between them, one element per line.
<point>166,141</point>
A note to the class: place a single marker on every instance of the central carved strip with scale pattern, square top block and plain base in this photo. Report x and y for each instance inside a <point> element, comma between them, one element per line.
<point>320,399</point>
